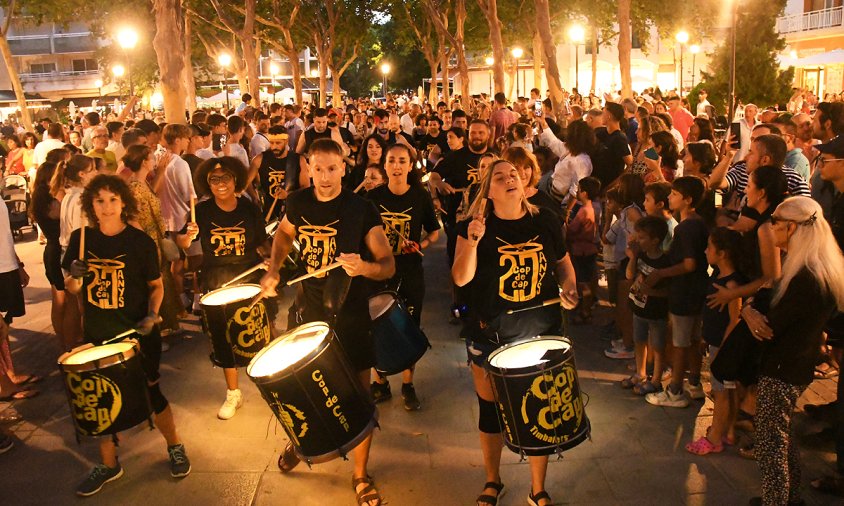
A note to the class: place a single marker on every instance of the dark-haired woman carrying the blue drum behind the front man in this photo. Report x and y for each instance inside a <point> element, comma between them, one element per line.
<point>406,209</point>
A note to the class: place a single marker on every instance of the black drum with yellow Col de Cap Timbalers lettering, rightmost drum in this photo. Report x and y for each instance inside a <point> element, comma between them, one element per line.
<point>538,395</point>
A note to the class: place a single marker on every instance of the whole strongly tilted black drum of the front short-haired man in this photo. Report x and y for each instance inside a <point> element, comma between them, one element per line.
<point>306,379</point>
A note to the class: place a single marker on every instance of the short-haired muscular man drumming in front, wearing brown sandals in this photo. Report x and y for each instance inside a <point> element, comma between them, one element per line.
<point>334,225</point>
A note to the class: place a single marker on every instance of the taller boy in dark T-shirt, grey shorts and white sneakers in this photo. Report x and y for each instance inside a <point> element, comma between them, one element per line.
<point>687,293</point>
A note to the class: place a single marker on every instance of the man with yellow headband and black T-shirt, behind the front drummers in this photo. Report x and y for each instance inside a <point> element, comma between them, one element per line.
<point>270,167</point>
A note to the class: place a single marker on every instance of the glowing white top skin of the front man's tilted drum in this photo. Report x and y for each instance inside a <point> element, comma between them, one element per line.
<point>287,350</point>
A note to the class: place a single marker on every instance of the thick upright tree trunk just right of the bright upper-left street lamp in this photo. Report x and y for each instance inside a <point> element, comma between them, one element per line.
<point>171,64</point>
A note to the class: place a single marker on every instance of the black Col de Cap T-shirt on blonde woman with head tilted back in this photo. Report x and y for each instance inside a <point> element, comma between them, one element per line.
<point>515,268</point>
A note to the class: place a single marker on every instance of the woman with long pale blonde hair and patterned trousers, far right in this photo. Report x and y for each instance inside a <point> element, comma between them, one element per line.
<point>793,333</point>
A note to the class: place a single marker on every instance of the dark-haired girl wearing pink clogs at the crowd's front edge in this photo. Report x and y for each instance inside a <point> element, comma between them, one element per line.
<point>723,252</point>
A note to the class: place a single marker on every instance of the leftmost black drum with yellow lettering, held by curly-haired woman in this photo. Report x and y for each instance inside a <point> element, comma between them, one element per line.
<point>106,387</point>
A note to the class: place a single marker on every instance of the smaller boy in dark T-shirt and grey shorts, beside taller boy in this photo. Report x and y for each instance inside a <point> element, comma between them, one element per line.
<point>649,304</point>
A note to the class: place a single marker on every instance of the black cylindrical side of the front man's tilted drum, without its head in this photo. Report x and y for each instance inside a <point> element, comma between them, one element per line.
<point>320,403</point>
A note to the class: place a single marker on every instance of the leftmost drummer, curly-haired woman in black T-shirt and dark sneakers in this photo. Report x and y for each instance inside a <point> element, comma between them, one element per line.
<point>121,289</point>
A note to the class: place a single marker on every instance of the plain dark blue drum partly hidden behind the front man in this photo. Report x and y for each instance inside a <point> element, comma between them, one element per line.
<point>399,342</point>
